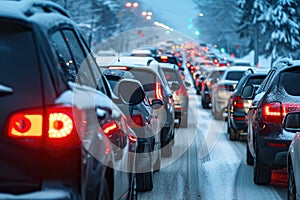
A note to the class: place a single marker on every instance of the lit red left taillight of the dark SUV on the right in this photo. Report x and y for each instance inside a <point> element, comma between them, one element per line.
<point>272,112</point>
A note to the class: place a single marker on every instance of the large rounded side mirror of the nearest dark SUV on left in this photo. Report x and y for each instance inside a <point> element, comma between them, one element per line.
<point>131,91</point>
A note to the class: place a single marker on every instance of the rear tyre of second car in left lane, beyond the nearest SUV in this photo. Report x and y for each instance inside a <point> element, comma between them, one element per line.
<point>144,181</point>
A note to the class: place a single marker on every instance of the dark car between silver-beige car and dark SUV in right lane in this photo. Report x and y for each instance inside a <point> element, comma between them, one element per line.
<point>238,107</point>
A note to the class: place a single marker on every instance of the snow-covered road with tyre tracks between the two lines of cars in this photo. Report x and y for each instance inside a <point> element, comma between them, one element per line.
<point>211,167</point>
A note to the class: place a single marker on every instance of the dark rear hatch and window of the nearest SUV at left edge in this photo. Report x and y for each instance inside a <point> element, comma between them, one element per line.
<point>20,161</point>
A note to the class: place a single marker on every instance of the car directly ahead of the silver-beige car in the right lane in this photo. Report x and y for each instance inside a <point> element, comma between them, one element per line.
<point>213,76</point>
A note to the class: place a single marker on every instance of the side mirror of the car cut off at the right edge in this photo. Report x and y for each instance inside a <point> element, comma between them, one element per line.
<point>291,122</point>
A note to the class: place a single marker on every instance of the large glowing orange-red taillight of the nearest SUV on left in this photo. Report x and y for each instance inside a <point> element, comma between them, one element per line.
<point>52,127</point>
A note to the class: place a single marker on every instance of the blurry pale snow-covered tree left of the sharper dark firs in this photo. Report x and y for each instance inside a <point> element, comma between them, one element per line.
<point>219,23</point>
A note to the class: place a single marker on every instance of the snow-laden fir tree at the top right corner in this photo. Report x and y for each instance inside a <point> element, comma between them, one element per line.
<point>284,22</point>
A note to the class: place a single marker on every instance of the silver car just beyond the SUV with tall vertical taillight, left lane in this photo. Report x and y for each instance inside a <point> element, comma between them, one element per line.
<point>180,96</point>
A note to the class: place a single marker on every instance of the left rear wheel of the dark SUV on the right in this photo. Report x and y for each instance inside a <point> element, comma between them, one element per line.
<point>261,171</point>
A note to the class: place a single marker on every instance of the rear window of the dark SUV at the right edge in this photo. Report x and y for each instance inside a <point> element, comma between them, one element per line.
<point>289,80</point>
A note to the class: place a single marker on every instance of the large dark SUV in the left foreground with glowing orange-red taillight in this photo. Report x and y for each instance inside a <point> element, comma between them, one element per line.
<point>53,119</point>
